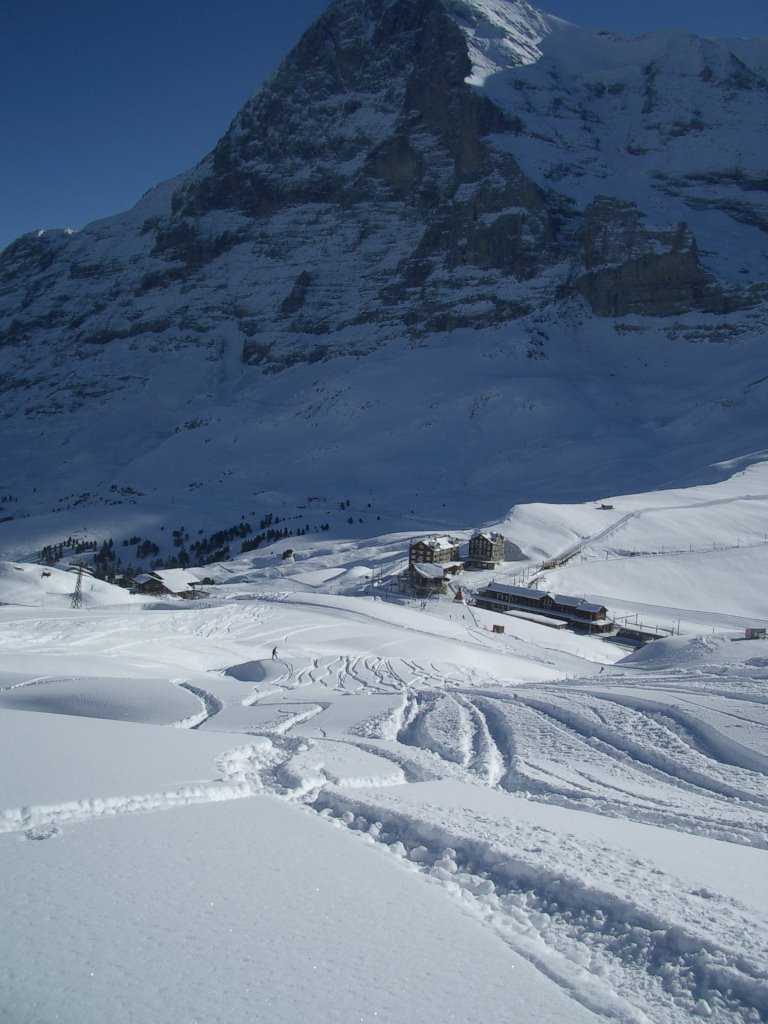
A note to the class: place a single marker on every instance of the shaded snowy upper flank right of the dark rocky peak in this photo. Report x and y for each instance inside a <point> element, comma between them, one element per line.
<point>658,121</point>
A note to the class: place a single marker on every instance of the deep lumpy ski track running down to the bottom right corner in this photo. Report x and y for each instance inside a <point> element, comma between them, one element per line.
<point>611,952</point>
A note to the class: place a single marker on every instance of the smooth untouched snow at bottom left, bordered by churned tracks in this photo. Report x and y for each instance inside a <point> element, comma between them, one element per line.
<point>247,912</point>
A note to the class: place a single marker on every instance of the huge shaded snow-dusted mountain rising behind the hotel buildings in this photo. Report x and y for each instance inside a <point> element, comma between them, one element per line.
<point>454,254</point>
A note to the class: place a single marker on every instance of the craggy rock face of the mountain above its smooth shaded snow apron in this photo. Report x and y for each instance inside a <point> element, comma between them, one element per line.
<point>414,168</point>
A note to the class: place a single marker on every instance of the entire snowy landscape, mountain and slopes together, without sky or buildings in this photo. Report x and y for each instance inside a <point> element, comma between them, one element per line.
<point>458,266</point>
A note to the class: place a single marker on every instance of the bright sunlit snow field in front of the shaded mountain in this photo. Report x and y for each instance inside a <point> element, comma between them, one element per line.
<point>404,816</point>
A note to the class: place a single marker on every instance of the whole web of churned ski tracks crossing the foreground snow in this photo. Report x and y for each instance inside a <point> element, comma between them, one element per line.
<point>625,940</point>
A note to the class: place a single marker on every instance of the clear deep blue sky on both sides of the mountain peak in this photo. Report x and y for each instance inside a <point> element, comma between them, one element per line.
<point>104,99</point>
